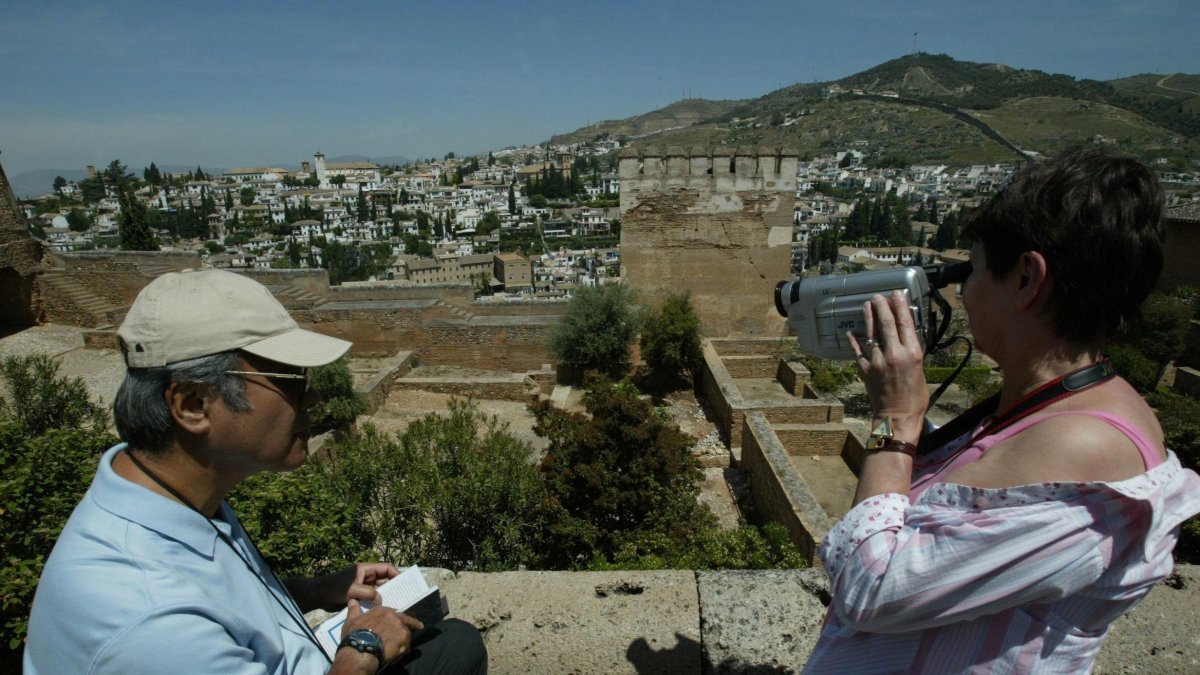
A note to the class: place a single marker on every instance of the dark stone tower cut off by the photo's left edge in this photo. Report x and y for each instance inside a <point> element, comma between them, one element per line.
<point>21,261</point>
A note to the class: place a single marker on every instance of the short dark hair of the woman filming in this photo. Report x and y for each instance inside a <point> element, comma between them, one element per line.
<point>1097,220</point>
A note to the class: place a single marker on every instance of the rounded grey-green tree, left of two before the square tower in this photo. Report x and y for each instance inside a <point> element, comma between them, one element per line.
<point>597,331</point>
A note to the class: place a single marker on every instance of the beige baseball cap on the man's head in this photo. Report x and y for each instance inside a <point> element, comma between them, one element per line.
<point>191,314</point>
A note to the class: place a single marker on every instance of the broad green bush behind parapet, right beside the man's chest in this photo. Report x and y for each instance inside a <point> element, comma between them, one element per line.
<point>454,491</point>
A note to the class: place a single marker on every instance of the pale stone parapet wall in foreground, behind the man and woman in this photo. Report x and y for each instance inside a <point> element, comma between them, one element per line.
<point>733,622</point>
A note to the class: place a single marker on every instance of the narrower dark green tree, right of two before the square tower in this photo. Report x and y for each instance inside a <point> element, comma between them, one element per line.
<point>670,339</point>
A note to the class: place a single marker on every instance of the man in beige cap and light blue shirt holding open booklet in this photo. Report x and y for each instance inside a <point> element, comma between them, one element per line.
<point>153,572</point>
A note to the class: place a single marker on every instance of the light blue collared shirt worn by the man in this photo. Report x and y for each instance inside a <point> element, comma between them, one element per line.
<point>139,583</point>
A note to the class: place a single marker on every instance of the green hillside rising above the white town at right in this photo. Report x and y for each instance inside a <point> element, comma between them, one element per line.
<point>1150,116</point>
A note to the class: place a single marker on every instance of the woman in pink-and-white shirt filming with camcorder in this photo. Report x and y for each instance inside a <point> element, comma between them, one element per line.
<point>1015,536</point>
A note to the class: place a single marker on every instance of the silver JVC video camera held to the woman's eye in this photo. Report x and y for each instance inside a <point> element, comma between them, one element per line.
<point>824,309</point>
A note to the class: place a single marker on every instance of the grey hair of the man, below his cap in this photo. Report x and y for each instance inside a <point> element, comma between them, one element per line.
<point>141,413</point>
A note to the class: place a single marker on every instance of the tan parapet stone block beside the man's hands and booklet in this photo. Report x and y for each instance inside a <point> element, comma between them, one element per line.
<point>583,622</point>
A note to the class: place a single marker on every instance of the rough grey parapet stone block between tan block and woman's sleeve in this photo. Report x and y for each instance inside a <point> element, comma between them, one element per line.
<point>761,622</point>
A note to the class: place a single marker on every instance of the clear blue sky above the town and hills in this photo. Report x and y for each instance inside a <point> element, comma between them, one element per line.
<point>224,83</point>
